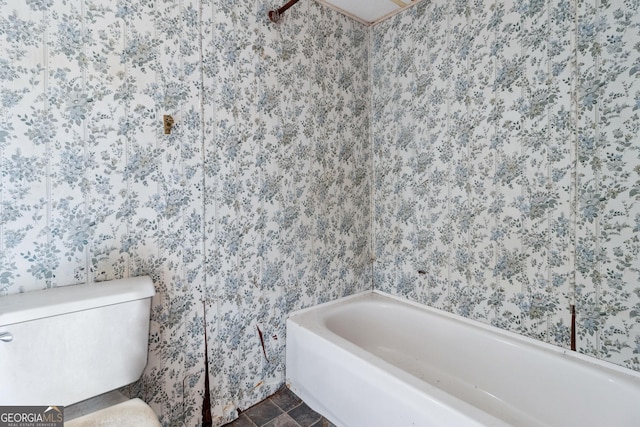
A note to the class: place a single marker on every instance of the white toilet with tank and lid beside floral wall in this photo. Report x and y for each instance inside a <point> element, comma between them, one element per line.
<point>75,346</point>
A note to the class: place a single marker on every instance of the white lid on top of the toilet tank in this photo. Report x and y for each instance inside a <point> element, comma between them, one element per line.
<point>16,308</point>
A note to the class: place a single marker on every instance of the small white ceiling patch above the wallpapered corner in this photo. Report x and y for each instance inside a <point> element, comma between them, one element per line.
<point>369,12</point>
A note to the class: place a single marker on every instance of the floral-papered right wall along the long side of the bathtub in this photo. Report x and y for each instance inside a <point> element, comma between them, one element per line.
<point>507,168</point>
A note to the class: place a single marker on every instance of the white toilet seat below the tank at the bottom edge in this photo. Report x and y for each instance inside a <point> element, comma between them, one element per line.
<point>132,413</point>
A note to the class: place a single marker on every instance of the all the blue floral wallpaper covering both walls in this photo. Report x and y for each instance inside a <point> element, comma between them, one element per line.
<point>480,157</point>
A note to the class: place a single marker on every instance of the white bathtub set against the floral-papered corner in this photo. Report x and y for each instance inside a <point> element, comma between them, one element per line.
<point>376,360</point>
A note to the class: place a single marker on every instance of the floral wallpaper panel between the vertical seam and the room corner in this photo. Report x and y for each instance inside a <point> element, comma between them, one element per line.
<point>286,111</point>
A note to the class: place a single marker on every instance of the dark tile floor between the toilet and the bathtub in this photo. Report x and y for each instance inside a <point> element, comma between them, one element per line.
<point>282,409</point>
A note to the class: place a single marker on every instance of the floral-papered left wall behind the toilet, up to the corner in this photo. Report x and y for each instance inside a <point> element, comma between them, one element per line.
<point>256,204</point>
